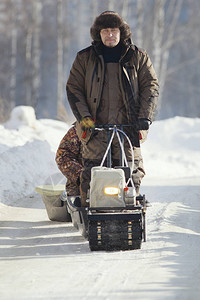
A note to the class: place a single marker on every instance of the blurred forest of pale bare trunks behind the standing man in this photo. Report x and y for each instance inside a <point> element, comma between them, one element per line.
<point>39,40</point>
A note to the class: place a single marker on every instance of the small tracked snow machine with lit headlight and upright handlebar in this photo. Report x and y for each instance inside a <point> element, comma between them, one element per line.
<point>115,218</point>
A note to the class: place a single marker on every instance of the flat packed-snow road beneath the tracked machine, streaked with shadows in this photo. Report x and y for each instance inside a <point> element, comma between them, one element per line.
<point>41,259</point>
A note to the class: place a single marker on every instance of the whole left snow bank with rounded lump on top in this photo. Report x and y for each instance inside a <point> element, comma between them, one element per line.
<point>27,153</point>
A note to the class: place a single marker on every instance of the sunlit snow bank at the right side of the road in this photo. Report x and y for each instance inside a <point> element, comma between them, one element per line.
<point>172,149</point>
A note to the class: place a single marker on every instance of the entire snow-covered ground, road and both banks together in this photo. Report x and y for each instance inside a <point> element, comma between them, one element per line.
<point>40,259</point>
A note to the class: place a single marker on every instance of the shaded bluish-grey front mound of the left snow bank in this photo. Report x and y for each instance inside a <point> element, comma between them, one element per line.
<point>24,167</point>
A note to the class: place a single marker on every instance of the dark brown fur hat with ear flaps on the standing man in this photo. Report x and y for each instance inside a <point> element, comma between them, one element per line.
<point>110,19</point>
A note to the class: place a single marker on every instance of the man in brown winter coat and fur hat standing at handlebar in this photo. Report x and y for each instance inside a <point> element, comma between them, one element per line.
<point>111,82</point>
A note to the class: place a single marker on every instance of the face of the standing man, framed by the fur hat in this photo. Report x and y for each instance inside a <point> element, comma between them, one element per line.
<point>110,36</point>
